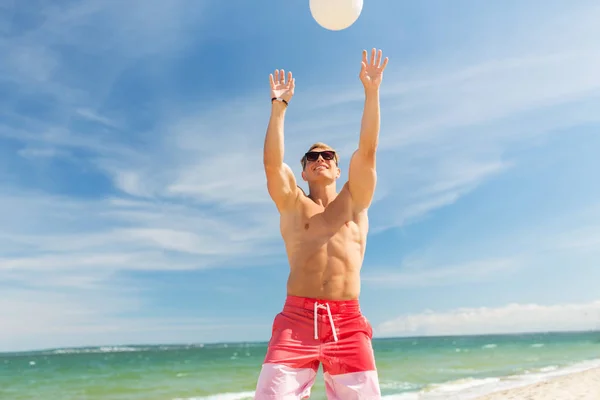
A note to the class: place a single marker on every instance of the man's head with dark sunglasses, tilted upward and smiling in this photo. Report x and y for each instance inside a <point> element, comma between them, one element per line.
<point>320,164</point>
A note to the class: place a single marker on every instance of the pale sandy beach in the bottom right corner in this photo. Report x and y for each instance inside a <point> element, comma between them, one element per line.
<point>577,386</point>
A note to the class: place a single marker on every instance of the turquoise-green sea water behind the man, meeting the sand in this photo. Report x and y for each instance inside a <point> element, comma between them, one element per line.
<point>436,365</point>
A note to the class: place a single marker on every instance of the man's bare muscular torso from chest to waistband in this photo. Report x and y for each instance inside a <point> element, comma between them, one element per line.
<point>325,257</point>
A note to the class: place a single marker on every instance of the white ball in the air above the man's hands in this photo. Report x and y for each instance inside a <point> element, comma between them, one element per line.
<point>336,15</point>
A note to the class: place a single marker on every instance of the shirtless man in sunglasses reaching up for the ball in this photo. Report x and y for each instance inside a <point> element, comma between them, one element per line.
<point>325,237</point>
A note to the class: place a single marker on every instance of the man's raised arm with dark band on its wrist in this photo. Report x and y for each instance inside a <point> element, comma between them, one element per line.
<point>281,182</point>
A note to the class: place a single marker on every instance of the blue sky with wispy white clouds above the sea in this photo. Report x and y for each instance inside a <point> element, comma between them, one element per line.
<point>133,203</point>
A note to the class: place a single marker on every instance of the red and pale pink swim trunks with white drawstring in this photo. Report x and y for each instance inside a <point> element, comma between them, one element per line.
<point>309,332</point>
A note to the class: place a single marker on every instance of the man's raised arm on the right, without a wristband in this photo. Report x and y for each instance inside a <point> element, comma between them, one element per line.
<point>362,176</point>
